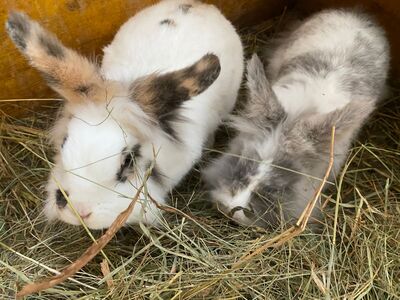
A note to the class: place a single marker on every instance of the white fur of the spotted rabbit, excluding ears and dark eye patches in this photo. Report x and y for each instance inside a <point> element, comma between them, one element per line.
<point>87,165</point>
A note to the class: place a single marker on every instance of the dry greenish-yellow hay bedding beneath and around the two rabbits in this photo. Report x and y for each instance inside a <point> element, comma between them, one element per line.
<point>356,256</point>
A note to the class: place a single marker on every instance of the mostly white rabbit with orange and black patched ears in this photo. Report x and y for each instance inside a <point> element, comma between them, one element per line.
<point>168,78</point>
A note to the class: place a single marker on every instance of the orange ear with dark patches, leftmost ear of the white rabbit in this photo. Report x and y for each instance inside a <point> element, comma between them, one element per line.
<point>71,75</point>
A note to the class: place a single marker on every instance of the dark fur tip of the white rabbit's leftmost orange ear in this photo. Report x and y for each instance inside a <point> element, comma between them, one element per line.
<point>18,29</point>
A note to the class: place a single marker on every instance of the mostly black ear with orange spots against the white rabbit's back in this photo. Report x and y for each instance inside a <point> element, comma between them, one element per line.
<point>161,95</point>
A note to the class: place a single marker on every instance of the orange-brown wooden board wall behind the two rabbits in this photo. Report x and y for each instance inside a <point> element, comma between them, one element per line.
<point>88,25</point>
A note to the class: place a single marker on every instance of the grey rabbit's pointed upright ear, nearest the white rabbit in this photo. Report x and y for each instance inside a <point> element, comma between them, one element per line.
<point>262,103</point>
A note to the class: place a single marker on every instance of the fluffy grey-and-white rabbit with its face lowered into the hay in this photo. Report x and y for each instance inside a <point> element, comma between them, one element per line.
<point>329,71</point>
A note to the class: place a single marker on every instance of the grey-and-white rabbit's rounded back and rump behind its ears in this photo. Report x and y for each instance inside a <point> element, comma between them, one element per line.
<point>334,57</point>
